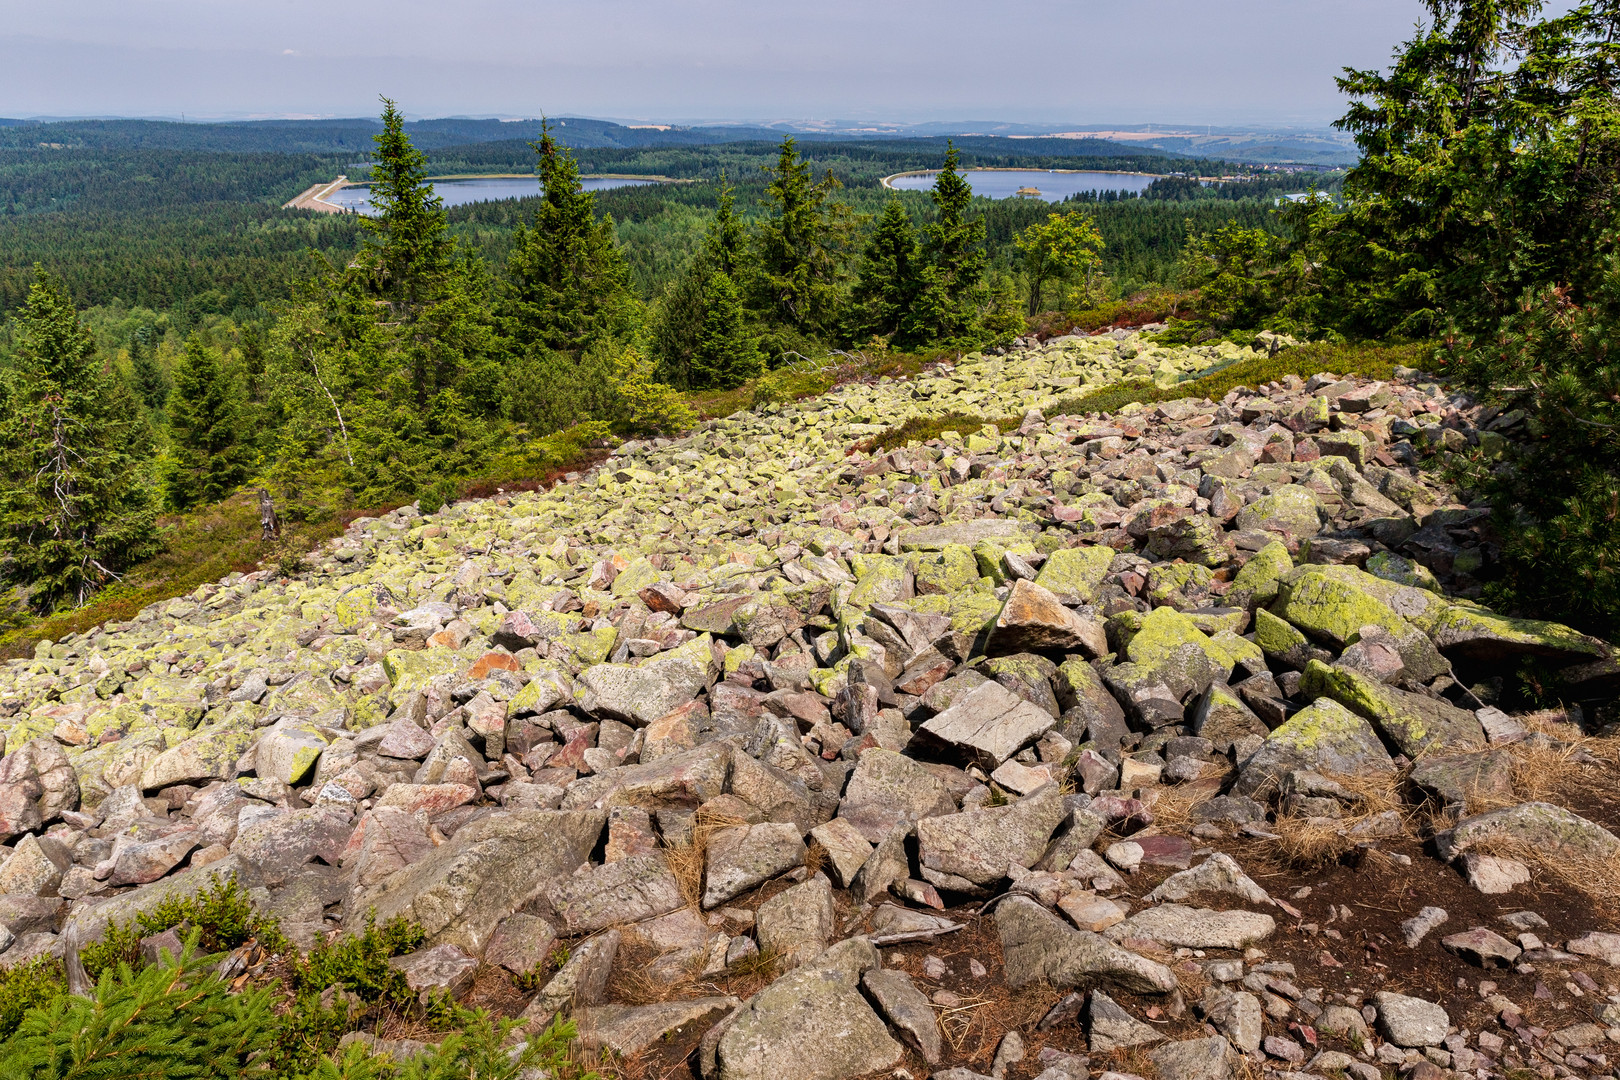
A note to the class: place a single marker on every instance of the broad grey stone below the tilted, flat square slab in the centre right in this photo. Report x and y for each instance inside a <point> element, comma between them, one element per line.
<point>983,844</point>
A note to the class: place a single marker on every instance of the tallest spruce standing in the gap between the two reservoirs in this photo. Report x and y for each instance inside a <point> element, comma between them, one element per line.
<point>801,242</point>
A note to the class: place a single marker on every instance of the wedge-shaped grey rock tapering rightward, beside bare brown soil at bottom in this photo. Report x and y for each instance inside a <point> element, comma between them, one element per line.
<point>1036,945</point>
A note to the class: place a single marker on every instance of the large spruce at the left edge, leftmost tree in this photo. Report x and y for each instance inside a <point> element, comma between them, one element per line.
<point>75,504</point>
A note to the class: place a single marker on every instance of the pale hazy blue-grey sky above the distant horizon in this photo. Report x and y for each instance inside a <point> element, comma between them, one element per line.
<point>1033,61</point>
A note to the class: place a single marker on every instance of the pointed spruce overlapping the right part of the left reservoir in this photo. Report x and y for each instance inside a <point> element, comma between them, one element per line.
<point>569,284</point>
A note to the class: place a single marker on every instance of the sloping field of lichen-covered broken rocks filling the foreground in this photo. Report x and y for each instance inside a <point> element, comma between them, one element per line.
<point>1164,744</point>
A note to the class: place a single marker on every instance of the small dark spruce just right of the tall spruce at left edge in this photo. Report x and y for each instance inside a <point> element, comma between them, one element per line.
<point>208,456</point>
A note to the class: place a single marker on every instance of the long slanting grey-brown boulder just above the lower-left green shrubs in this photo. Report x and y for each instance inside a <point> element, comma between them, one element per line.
<point>488,870</point>
